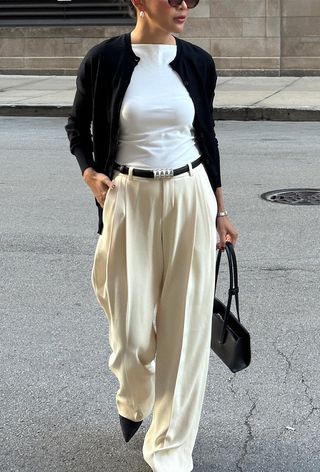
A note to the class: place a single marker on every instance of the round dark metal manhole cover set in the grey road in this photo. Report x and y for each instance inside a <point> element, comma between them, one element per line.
<point>294,196</point>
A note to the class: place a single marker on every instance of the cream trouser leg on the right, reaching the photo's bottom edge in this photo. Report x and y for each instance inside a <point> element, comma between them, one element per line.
<point>183,321</point>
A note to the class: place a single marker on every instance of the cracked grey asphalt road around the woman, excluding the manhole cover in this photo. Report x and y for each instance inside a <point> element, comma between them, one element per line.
<point>57,395</point>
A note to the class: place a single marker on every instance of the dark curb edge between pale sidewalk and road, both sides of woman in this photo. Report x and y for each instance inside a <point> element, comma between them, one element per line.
<point>220,113</point>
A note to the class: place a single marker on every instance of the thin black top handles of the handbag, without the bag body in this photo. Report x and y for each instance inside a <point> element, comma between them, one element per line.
<point>233,279</point>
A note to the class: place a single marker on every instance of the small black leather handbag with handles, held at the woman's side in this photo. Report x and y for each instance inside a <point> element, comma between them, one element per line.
<point>229,338</point>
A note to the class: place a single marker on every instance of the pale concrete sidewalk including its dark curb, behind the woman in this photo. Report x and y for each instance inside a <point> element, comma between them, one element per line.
<point>237,98</point>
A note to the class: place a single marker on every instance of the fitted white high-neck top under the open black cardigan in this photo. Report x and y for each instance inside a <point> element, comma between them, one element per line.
<point>157,113</point>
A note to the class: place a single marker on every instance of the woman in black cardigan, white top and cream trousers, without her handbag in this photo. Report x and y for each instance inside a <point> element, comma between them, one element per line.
<point>148,96</point>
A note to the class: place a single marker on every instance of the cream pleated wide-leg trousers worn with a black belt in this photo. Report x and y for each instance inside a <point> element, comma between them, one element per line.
<point>153,274</point>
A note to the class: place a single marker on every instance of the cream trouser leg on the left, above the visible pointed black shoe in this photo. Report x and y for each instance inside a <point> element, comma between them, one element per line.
<point>126,277</point>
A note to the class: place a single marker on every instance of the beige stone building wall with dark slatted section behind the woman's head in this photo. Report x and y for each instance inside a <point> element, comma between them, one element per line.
<point>246,37</point>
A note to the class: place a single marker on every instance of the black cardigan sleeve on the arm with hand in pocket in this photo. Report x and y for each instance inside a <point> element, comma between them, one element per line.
<point>78,126</point>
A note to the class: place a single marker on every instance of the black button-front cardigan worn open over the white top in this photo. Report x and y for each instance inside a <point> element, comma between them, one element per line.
<point>102,80</point>
